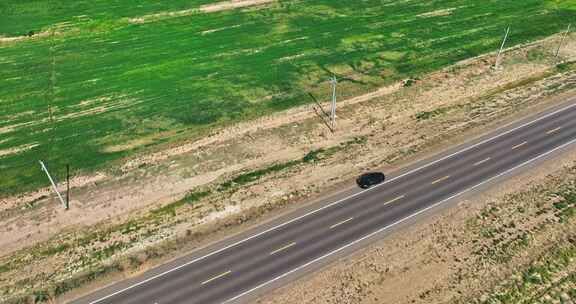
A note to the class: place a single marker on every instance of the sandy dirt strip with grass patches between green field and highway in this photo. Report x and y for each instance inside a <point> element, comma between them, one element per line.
<point>155,207</point>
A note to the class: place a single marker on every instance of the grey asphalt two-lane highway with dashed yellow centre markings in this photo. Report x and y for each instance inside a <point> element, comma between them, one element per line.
<point>232,272</point>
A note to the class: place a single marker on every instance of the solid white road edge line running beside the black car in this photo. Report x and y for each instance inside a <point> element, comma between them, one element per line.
<point>335,203</point>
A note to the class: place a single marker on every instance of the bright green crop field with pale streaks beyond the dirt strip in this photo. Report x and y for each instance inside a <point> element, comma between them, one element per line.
<point>122,87</point>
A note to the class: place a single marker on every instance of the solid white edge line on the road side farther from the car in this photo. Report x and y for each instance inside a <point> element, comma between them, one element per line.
<point>396,223</point>
